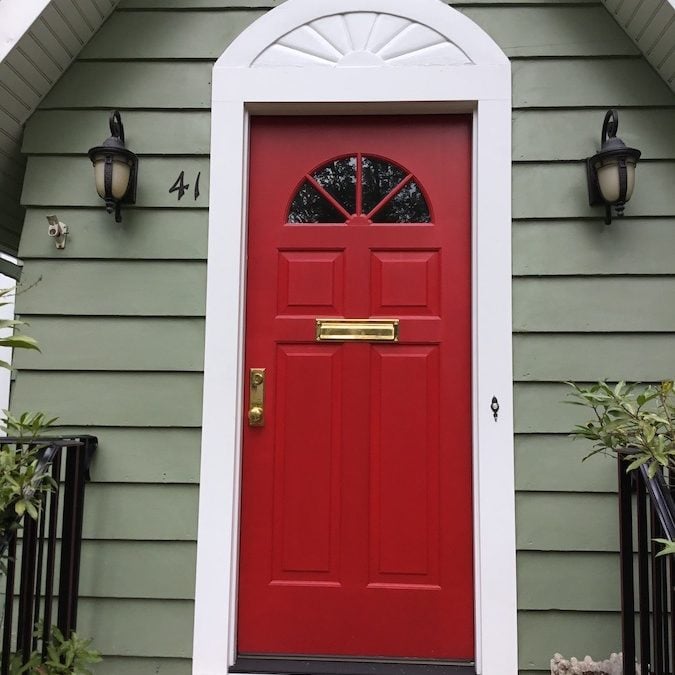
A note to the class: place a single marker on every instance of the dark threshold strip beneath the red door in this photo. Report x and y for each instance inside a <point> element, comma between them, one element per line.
<point>348,666</point>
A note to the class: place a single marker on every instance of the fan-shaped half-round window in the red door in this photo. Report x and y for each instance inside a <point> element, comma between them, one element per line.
<point>359,187</point>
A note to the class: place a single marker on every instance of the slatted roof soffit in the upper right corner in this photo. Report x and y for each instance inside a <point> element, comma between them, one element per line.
<point>651,26</point>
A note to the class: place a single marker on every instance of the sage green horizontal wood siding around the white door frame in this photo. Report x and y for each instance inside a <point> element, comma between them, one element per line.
<point>120,311</point>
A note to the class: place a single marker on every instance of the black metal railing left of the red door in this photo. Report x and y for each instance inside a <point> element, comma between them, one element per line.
<point>34,548</point>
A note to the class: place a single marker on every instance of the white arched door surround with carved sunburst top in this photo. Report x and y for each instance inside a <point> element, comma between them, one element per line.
<point>337,56</point>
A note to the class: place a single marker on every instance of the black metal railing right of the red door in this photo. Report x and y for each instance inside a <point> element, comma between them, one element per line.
<point>647,504</point>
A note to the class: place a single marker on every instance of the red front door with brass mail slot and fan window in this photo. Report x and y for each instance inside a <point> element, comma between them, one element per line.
<point>356,524</point>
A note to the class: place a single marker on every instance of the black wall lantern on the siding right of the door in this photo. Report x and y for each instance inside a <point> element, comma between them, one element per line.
<point>611,173</point>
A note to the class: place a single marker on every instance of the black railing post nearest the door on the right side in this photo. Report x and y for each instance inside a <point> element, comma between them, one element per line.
<point>626,563</point>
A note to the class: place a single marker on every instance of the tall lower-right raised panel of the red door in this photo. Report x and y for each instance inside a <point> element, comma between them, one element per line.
<point>404,447</point>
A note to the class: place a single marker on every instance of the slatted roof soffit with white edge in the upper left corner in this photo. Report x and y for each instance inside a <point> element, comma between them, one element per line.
<point>38,41</point>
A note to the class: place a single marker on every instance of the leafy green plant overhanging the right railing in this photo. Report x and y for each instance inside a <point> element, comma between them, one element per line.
<point>632,420</point>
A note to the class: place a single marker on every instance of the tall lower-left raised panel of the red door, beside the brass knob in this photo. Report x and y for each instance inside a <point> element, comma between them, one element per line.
<point>307,464</point>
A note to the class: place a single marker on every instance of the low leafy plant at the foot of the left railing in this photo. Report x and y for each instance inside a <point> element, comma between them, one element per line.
<point>64,657</point>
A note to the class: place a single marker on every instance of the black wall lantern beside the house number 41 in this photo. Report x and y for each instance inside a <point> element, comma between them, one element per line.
<point>115,169</point>
